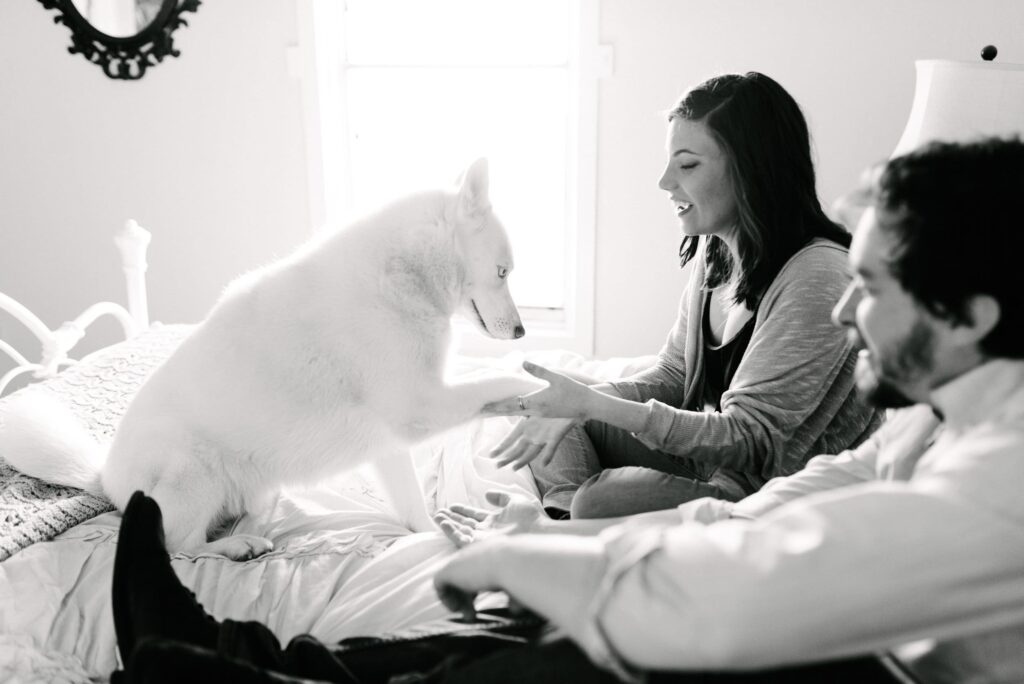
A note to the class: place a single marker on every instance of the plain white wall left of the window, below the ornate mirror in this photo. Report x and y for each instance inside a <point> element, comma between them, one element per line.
<point>207,151</point>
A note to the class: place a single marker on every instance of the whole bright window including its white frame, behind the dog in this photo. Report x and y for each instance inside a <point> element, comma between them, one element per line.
<point>404,95</point>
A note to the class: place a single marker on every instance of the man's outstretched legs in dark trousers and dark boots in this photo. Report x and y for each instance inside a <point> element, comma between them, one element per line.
<point>164,634</point>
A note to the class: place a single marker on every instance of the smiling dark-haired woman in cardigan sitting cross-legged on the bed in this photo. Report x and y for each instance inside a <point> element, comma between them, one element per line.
<point>754,379</point>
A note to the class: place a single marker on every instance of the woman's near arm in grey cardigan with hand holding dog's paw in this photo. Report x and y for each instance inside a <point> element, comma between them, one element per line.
<point>795,379</point>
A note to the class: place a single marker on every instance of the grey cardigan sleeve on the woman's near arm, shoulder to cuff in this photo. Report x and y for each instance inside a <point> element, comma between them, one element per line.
<point>794,383</point>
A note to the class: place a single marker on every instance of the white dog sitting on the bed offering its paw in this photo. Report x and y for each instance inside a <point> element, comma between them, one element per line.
<point>308,367</point>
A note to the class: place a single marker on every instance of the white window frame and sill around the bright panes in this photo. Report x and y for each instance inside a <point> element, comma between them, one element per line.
<point>318,63</point>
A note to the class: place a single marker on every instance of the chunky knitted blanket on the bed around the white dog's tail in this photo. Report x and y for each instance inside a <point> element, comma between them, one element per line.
<point>97,392</point>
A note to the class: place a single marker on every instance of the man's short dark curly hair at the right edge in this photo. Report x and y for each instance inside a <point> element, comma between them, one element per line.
<point>953,210</point>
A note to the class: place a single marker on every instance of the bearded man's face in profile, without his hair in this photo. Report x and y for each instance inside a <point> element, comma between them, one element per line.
<point>899,339</point>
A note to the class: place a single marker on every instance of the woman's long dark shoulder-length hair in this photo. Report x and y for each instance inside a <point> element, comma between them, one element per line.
<point>764,136</point>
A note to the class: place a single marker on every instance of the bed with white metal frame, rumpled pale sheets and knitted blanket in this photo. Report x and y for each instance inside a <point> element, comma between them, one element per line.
<point>342,566</point>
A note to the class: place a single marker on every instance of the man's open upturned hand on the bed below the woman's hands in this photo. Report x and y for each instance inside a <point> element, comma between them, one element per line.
<point>465,525</point>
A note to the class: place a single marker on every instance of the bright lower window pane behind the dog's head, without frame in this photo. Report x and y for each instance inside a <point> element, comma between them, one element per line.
<point>406,124</point>
